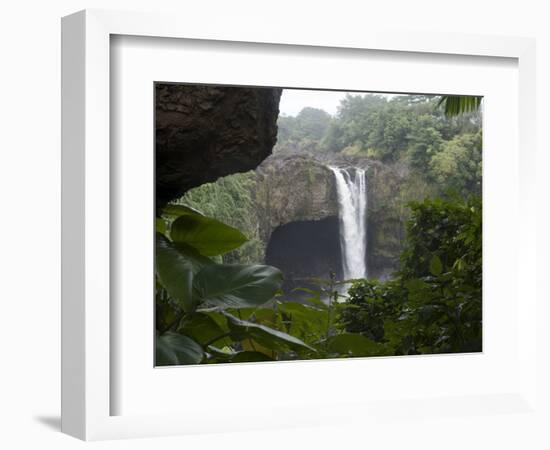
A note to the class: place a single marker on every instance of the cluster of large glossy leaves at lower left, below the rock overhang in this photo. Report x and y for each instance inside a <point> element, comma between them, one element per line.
<point>195,296</point>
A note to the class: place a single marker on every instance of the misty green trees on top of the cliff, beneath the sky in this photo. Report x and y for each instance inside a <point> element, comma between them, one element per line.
<point>411,130</point>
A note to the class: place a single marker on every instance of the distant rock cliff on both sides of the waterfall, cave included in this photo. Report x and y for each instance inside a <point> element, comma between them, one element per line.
<point>297,203</point>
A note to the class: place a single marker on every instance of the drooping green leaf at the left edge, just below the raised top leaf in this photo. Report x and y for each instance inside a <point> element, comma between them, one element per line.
<point>175,273</point>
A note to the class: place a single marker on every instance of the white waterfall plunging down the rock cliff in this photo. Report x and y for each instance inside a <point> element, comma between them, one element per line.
<point>351,186</point>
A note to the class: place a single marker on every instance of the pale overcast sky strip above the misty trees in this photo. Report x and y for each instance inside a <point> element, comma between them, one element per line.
<point>294,100</point>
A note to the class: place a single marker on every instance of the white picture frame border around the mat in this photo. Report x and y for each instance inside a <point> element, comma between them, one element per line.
<point>87,328</point>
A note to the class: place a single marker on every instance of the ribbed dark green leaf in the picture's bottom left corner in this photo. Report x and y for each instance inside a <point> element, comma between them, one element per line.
<point>175,349</point>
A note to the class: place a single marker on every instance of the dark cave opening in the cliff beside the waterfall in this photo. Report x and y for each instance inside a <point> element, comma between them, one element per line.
<point>304,250</point>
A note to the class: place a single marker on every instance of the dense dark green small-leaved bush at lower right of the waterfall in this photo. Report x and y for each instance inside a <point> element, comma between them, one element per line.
<point>433,305</point>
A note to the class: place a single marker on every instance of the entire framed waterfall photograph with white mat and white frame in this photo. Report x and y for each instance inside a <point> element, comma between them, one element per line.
<point>263,231</point>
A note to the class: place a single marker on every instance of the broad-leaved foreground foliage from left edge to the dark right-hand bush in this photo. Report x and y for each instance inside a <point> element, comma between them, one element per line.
<point>209,312</point>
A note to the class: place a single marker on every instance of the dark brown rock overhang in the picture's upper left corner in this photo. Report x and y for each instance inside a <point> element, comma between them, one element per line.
<point>206,132</point>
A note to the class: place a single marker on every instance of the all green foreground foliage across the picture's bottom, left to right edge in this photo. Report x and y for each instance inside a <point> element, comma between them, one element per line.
<point>210,313</point>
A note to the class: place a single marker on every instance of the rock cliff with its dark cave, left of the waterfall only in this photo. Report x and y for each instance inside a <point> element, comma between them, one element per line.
<point>298,219</point>
